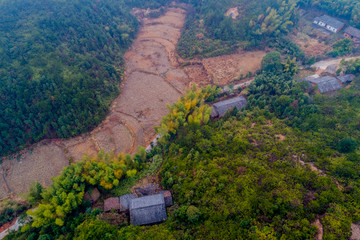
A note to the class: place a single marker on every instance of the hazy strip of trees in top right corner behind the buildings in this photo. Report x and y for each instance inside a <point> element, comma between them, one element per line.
<point>348,9</point>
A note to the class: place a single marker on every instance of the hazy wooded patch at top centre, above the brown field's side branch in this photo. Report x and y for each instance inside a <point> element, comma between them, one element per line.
<point>208,32</point>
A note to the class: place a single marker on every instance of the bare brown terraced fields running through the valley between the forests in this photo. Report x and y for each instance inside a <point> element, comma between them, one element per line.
<point>154,77</point>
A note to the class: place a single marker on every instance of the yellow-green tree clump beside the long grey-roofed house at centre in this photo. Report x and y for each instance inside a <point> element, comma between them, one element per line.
<point>190,109</point>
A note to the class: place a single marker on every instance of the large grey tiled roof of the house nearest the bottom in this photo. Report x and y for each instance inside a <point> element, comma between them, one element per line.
<point>147,210</point>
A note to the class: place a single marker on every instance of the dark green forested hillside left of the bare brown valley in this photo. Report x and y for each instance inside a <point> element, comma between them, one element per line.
<point>60,66</point>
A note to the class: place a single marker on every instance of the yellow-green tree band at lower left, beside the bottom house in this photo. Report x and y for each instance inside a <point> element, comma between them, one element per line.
<point>67,191</point>
